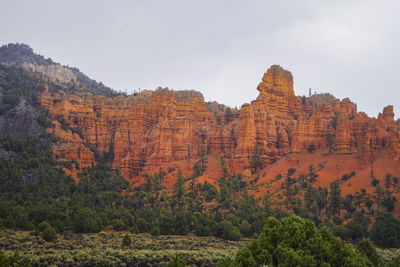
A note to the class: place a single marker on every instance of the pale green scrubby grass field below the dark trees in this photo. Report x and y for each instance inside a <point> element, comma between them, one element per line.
<point>105,249</point>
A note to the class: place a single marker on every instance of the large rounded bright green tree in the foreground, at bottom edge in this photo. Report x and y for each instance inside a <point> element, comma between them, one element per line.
<point>294,241</point>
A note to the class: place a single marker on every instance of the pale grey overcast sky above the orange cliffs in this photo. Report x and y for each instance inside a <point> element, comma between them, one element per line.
<point>349,48</point>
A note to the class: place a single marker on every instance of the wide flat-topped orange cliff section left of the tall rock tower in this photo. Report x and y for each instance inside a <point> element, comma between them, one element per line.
<point>170,127</point>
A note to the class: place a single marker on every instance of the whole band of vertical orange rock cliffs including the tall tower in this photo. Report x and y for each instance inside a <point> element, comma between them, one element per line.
<point>152,128</point>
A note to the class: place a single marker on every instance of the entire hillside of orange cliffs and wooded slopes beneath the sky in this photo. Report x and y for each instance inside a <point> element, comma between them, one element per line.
<point>76,155</point>
